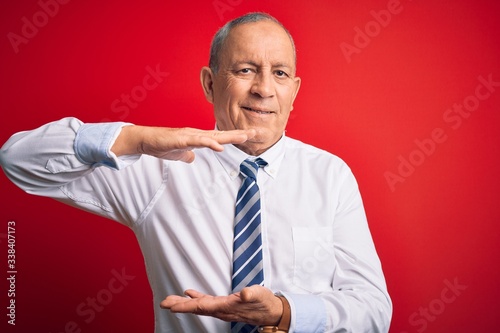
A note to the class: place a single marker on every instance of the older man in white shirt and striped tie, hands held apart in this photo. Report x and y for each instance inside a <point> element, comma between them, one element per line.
<point>280,243</point>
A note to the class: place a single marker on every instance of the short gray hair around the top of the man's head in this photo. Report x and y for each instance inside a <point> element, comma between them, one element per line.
<point>222,34</point>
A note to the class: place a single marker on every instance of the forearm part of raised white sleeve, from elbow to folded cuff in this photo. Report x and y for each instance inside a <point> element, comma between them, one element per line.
<point>40,160</point>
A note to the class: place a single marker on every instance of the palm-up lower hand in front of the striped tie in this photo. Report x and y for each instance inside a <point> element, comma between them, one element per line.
<point>254,305</point>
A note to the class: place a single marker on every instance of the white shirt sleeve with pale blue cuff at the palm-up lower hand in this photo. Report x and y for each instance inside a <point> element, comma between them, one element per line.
<point>358,300</point>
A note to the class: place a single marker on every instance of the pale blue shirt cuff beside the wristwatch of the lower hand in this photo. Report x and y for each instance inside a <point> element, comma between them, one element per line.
<point>308,313</point>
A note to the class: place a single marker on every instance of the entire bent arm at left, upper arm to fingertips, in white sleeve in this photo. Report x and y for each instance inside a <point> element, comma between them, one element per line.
<point>64,160</point>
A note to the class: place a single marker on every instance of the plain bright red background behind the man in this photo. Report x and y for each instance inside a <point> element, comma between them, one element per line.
<point>440,224</point>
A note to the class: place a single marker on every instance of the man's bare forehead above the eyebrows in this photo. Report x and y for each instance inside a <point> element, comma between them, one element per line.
<point>259,41</point>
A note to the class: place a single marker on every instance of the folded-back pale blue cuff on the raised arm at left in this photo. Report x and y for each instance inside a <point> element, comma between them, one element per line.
<point>93,144</point>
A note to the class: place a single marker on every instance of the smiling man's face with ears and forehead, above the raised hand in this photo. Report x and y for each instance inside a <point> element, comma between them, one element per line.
<point>256,85</point>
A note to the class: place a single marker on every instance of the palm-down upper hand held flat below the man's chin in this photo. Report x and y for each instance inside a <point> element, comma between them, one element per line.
<point>174,143</point>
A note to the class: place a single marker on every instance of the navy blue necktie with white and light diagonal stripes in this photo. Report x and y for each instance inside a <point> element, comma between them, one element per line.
<point>247,245</point>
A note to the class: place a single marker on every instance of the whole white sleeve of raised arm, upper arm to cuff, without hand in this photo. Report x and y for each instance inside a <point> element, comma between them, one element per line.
<point>71,162</point>
